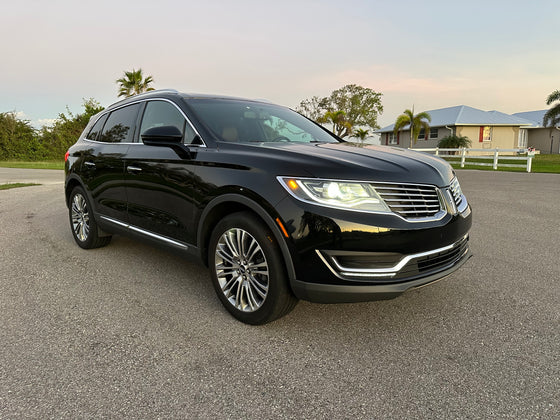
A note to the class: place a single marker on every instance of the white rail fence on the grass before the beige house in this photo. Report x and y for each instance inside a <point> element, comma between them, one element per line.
<point>495,153</point>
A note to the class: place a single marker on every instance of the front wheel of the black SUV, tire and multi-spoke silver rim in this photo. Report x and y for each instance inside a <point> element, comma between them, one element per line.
<point>247,270</point>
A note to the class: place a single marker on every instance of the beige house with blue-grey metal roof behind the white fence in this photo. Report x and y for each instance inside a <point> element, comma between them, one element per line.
<point>485,129</point>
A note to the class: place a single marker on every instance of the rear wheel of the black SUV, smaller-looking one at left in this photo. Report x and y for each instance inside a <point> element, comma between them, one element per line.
<point>82,221</point>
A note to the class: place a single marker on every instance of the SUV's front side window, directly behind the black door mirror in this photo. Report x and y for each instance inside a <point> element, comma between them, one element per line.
<point>160,113</point>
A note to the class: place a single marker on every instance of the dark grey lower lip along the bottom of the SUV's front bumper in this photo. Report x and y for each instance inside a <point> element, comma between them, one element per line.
<point>336,293</point>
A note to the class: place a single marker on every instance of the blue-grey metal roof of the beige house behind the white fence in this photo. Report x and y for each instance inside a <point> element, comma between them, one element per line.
<point>466,115</point>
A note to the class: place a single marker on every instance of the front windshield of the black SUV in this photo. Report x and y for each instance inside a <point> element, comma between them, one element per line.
<point>245,121</point>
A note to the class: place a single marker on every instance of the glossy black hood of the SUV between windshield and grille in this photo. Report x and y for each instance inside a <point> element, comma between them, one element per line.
<point>371,163</point>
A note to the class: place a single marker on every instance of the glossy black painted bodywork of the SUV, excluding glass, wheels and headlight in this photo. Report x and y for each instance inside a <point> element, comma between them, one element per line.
<point>181,196</point>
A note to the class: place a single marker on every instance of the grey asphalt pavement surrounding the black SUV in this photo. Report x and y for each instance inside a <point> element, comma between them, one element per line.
<point>135,331</point>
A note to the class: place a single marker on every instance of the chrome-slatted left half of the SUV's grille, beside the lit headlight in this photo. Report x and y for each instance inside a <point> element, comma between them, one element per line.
<point>409,200</point>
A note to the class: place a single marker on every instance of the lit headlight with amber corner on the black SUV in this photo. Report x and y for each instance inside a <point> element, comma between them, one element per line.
<point>358,196</point>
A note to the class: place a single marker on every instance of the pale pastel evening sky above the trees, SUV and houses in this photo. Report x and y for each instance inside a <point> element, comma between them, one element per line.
<point>492,54</point>
